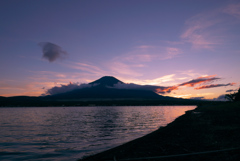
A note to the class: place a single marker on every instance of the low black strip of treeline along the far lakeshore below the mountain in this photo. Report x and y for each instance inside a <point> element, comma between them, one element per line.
<point>38,102</point>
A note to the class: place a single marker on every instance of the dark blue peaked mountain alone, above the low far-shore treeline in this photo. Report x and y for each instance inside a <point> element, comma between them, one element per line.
<point>104,88</point>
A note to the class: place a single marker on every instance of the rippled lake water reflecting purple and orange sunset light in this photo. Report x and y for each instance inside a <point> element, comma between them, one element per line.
<point>69,133</point>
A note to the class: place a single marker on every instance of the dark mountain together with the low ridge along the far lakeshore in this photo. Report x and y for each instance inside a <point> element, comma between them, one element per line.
<point>103,92</point>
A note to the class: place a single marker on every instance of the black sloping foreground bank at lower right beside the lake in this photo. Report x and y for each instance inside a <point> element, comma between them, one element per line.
<point>207,133</point>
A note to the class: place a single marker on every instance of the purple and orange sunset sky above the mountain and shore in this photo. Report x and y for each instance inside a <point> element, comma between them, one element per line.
<point>187,48</point>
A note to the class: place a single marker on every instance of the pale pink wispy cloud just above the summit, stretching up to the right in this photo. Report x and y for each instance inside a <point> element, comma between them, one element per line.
<point>133,63</point>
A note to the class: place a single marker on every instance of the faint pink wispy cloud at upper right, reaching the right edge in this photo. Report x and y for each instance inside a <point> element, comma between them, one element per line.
<point>207,30</point>
